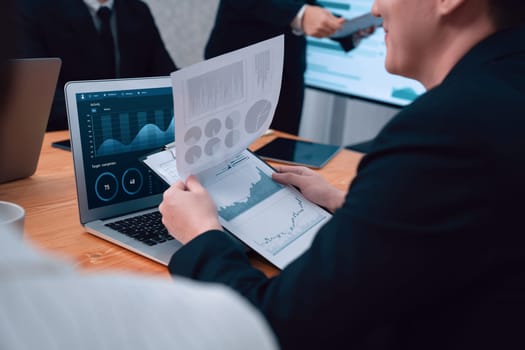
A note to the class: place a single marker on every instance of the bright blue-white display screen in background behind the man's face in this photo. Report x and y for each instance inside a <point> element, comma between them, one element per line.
<point>361,72</point>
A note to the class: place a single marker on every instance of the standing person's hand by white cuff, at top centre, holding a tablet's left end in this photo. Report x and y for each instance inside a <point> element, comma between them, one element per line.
<point>319,22</point>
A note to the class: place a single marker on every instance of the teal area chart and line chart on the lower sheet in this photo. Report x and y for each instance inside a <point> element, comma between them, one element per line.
<point>264,213</point>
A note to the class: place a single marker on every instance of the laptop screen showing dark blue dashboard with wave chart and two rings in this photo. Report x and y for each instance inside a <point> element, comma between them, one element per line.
<point>116,129</point>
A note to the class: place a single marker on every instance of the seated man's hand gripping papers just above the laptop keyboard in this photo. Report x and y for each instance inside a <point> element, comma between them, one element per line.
<point>188,210</point>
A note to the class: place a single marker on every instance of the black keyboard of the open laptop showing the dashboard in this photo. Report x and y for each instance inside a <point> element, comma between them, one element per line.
<point>147,228</point>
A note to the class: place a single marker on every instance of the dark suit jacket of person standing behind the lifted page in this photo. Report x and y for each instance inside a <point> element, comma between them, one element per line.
<point>240,23</point>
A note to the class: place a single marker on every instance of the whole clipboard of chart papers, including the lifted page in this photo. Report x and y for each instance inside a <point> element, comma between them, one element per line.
<point>221,106</point>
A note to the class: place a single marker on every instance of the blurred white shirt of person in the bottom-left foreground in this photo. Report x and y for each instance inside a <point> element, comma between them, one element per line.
<point>46,304</point>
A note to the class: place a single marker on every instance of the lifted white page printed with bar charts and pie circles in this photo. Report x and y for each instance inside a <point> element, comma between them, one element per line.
<point>224,104</point>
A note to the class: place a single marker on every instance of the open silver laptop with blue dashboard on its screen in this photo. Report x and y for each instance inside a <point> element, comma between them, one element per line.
<point>113,124</point>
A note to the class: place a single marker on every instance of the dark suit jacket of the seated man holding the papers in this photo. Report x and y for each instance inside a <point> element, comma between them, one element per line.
<point>427,251</point>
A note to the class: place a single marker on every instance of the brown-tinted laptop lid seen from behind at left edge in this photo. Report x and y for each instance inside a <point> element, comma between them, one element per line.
<point>23,121</point>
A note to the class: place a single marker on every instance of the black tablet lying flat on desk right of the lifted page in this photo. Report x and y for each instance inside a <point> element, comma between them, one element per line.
<point>311,154</point>
